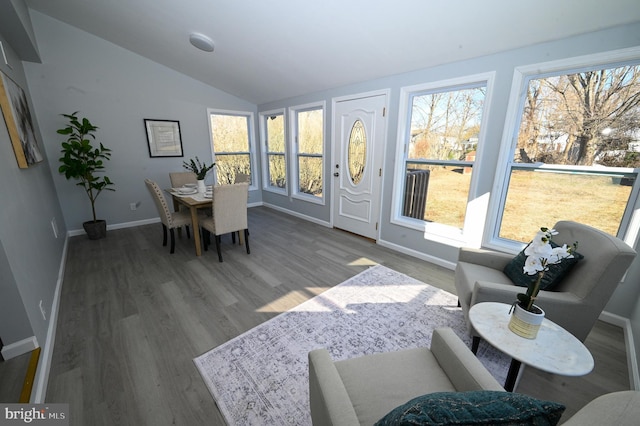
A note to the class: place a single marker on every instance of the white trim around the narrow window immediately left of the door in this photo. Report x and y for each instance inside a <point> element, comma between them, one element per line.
<point>293,148</point>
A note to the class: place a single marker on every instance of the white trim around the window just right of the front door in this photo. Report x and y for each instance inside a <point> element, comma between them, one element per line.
<point>476,212</point>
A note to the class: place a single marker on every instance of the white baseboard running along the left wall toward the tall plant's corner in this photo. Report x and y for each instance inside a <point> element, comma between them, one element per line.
<point>44,365</point>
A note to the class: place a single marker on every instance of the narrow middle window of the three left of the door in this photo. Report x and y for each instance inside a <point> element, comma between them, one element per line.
<point>273,139</point>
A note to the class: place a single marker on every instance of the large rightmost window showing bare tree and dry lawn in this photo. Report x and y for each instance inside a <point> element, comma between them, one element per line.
<point>575,150</point>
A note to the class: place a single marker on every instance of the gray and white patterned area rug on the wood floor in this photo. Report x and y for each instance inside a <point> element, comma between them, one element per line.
<point>261,377</point>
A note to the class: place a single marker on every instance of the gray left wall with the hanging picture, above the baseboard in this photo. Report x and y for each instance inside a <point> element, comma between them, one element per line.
<point>30,255</point>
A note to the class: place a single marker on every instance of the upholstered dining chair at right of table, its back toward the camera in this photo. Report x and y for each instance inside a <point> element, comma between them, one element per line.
<point>229,214</point>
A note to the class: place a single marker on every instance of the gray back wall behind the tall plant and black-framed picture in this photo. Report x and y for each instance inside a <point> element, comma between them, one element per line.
<point>116,89</point>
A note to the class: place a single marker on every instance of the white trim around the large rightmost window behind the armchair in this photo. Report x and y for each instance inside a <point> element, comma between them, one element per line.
<point>628,227</point>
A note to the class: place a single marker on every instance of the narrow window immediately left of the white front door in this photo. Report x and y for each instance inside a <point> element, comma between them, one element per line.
<point>308,142</point>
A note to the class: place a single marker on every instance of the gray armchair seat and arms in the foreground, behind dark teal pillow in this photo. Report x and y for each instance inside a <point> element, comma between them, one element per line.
<point>362,390</point>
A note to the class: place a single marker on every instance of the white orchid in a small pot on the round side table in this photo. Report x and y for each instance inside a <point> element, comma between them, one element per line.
<point>527,317</point>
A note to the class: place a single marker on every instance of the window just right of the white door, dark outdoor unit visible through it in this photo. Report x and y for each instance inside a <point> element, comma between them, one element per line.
<point>438,147</point>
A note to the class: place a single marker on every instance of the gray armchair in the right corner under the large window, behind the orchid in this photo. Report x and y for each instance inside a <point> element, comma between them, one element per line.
<point>577,301</point>
